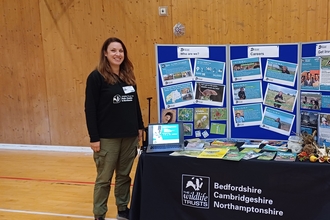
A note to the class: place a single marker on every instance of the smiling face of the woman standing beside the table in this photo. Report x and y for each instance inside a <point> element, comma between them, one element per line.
<point>115,54</point>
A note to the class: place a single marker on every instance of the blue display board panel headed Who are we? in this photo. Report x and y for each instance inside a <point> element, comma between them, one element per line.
<point>191,88</point>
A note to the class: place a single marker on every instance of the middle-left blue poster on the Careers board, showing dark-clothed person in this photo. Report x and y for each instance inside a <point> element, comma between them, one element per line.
<point>247,92</point>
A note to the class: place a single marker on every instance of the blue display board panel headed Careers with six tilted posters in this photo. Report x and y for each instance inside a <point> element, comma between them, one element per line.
<point>264,91</point>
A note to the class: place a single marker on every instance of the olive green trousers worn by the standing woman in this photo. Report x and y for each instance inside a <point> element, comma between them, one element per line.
<point>116,155</point>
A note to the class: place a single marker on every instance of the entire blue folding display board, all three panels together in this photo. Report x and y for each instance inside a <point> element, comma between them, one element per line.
<point>268,91</point>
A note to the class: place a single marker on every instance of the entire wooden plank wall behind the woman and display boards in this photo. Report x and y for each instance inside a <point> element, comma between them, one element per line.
<point>51,46</point>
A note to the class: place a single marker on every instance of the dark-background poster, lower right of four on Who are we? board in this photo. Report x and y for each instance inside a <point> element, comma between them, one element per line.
<point>209,93</point>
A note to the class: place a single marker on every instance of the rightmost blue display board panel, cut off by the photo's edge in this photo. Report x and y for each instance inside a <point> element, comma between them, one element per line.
<point>315,90</point>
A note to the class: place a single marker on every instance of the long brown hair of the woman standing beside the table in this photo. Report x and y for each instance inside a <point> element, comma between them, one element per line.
<point>126,72</point>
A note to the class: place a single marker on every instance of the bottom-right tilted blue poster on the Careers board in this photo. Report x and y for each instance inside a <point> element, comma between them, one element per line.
<point>277,121</point>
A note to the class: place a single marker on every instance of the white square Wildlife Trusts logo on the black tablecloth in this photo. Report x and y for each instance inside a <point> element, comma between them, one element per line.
<point>196,191</point>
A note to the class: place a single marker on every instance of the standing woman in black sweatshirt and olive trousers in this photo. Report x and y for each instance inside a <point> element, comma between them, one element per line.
<point>115,125</point>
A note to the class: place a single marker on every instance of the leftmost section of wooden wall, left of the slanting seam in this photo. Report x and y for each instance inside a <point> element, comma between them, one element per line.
<point>24,111</point>
